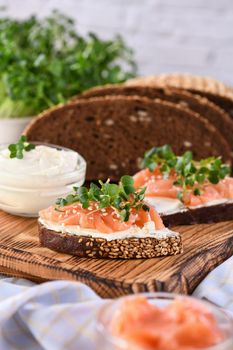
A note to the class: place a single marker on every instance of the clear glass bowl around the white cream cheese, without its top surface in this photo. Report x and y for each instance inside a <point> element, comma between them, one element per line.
<point>24,194</point>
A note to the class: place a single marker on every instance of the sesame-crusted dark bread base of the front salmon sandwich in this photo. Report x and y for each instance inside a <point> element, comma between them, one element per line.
<point>89,247</point>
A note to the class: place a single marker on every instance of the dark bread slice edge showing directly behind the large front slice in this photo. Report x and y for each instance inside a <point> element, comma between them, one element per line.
<point>201,105</point>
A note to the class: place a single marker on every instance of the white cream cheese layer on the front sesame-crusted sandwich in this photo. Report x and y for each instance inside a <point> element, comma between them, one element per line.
<point>133,232</point>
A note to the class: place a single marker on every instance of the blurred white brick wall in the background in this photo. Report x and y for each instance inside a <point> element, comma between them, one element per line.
<point>167,35</point>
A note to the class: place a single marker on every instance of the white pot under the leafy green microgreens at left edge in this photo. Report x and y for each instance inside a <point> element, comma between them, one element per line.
<point>11,129</point>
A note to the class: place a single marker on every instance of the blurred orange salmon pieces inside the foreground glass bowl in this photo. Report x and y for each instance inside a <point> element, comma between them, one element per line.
<point>181,325</point>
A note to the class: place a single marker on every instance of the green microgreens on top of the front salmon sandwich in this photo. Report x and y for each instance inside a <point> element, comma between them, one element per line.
<point>122,197</point>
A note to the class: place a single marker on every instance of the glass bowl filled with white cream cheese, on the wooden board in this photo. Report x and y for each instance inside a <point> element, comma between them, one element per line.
<point>34,182</point>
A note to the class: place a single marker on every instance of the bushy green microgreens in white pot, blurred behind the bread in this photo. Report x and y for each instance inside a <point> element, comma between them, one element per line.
<point>45,62</point>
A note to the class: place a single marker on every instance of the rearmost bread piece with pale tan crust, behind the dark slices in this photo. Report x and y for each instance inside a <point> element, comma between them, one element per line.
<point>215,91</point>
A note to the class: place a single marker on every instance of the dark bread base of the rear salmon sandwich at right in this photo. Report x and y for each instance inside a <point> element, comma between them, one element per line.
<point>204,215</point>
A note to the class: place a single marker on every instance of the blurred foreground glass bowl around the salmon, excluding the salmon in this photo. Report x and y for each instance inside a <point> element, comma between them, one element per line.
<point>106,341</point>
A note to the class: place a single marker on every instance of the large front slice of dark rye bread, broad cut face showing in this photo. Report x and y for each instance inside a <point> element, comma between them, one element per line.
<point>112,133</point>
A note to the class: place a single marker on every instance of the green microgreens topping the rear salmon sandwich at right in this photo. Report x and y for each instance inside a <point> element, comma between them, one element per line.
<point>190,174</point>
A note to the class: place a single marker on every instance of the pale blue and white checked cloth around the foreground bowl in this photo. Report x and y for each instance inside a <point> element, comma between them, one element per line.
<point>60,315</point>
